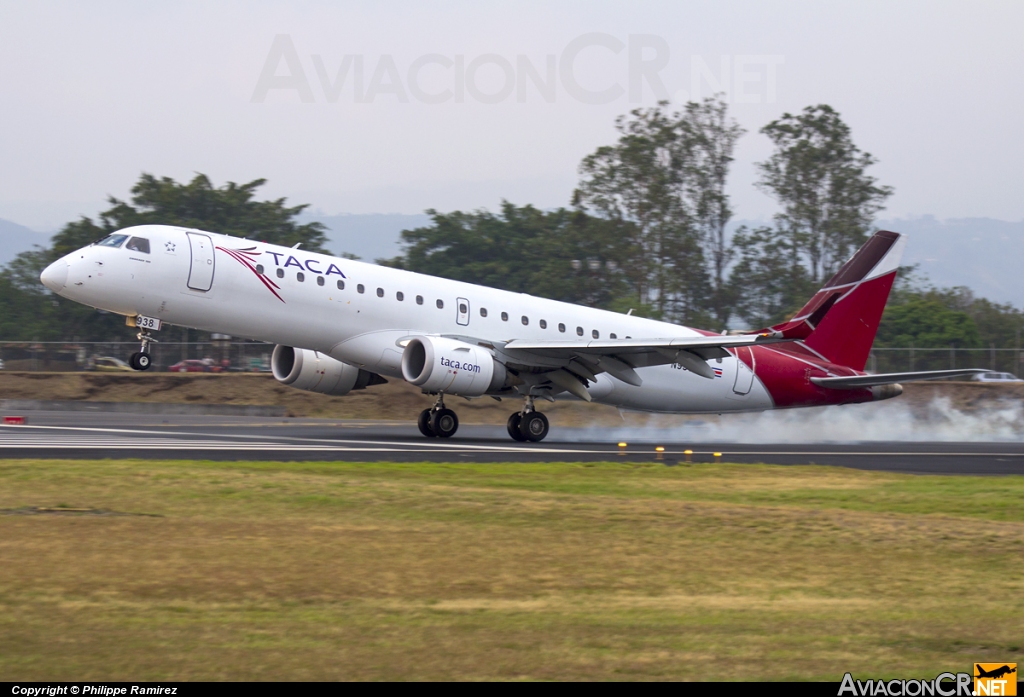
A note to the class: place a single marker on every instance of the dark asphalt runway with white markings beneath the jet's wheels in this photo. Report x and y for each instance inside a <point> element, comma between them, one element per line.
<point>95,435</point>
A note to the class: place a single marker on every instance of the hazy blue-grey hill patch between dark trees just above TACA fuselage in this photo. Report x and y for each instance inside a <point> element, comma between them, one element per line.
<point>370,237</point>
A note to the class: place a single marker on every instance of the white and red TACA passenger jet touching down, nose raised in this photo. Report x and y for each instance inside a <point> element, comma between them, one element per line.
<point>340,325</point>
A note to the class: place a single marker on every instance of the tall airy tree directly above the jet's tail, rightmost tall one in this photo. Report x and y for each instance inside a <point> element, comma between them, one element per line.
<point>819,177</point>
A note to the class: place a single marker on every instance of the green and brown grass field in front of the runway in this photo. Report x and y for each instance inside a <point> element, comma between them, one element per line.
<point>509,572</point>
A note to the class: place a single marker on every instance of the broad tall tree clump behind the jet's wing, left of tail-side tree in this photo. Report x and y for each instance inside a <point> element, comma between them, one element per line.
<point>666,176</point>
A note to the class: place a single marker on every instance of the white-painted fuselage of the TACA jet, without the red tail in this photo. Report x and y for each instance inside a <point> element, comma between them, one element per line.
<point>209,282</point>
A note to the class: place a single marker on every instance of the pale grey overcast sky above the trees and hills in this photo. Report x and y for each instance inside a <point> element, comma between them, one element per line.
<point>95,94</point>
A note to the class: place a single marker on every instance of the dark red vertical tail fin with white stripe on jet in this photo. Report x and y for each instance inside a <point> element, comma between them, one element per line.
<point>842,319</point>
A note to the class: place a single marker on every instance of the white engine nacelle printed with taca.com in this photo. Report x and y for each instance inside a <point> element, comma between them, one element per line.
<point>438,365</point>
